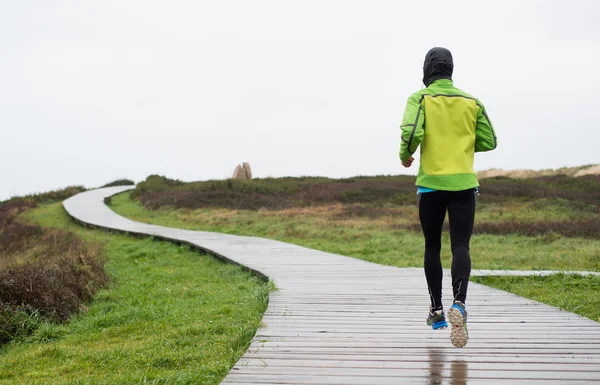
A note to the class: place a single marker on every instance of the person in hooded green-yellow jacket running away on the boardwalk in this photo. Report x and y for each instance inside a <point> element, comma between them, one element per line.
<point>450,126</point>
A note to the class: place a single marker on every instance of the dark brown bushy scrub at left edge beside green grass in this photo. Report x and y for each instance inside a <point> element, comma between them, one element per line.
<point>45,274</point>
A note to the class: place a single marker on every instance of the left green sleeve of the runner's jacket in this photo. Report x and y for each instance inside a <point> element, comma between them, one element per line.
<point>412,127</point>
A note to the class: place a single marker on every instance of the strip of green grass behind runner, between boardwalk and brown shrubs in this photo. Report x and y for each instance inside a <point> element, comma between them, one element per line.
<point>374,240</point>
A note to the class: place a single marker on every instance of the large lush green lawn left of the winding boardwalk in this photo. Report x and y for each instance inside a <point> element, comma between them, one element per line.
<point>170,316</point>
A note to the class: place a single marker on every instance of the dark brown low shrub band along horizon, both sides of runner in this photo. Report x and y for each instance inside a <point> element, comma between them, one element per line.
<point>278,193</point>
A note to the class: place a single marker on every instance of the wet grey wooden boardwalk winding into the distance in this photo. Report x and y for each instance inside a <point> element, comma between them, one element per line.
<point>339,320</point>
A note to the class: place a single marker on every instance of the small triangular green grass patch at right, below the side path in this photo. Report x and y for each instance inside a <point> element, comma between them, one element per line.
<point>582,297</point>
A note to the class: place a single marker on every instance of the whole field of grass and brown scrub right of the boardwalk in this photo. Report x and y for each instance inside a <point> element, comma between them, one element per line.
<point>548,223</point>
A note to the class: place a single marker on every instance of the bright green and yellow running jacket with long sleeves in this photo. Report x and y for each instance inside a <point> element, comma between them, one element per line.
<point>450,125</point>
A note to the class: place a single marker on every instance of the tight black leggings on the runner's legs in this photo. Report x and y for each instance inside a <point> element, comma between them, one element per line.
<point>461,214</point>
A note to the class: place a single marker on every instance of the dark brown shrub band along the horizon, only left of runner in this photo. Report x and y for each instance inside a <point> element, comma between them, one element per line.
<point>271,193</point>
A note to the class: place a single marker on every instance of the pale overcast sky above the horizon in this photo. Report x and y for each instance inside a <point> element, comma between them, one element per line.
<point>98,90</point>
